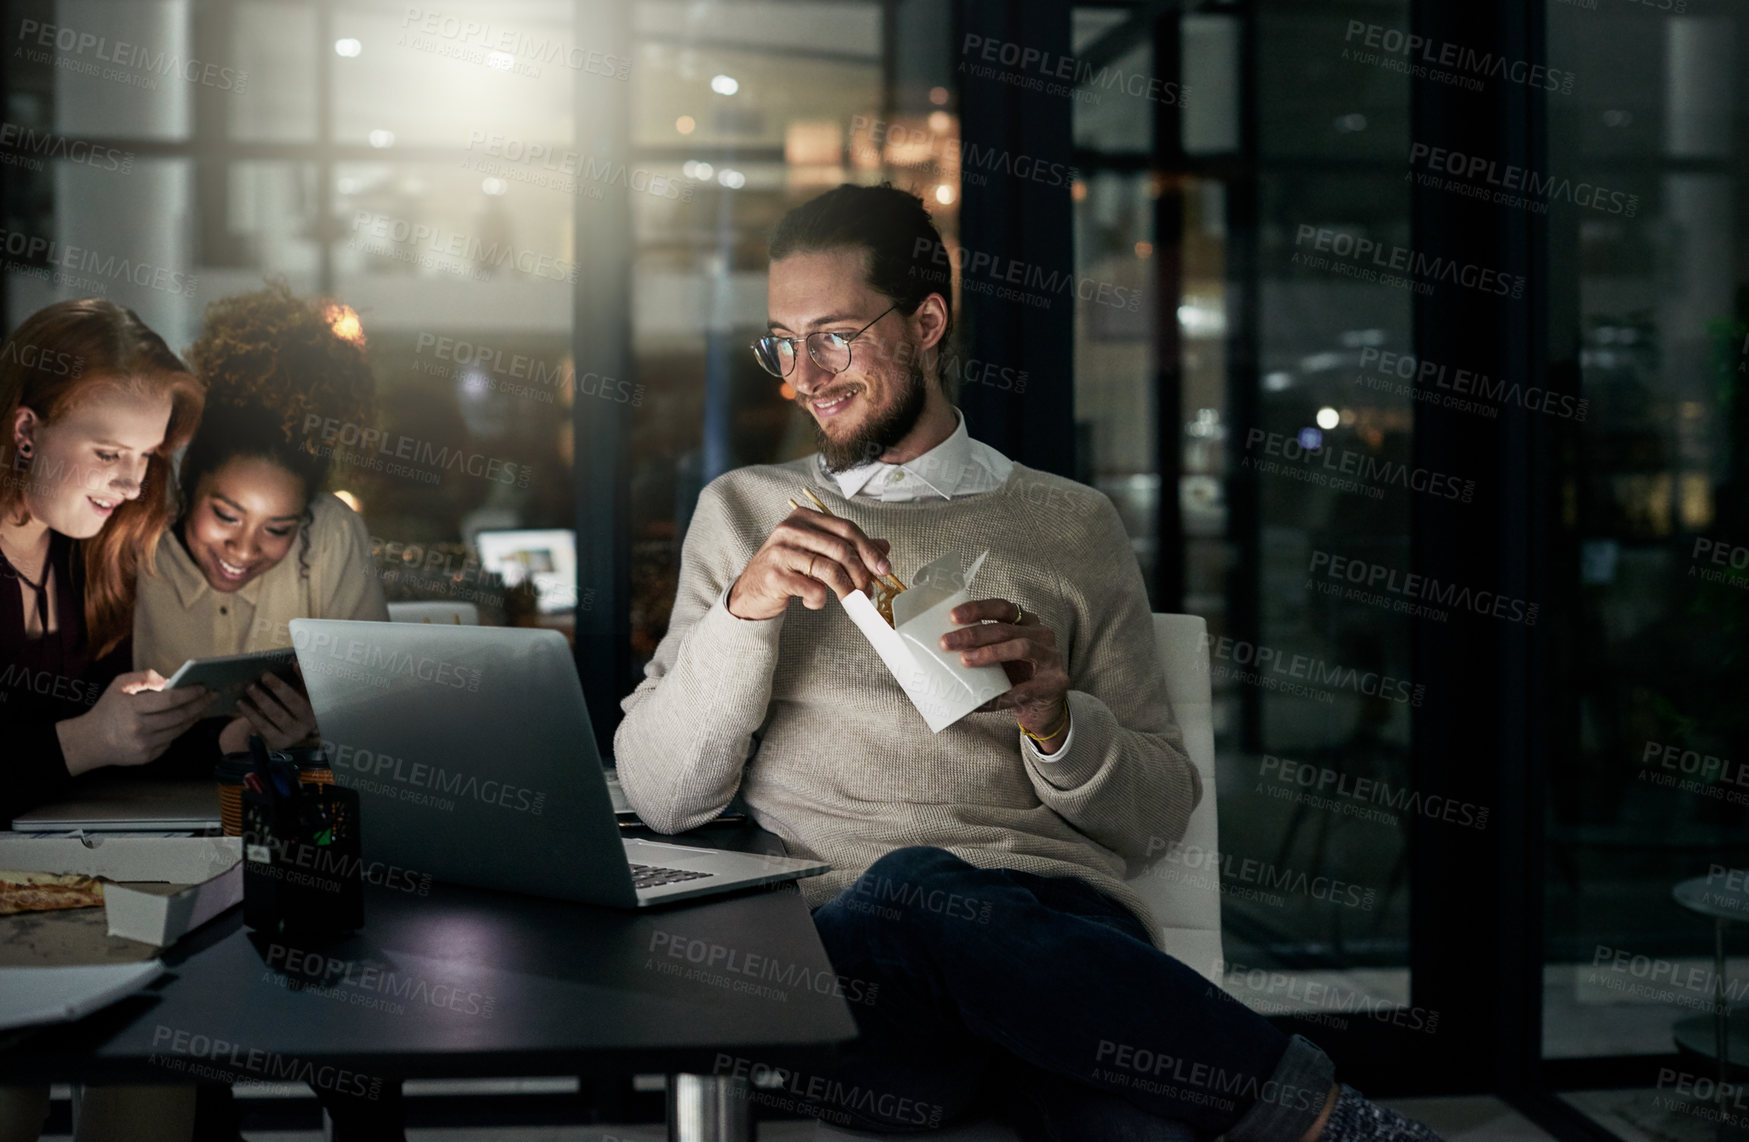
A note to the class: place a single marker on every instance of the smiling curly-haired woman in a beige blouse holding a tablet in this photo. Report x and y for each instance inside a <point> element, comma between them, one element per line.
<point>258,543</point>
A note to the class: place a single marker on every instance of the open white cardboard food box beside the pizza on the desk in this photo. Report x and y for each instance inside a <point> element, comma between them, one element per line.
<point>165,886</point>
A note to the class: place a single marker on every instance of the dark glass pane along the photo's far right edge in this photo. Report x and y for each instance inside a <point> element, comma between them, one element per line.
<point>1648,790</point>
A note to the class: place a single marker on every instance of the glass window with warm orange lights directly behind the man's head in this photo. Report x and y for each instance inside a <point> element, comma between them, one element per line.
<point>755,108</point>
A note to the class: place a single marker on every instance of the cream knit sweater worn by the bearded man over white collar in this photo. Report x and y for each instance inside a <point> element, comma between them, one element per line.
<point>804,720</point>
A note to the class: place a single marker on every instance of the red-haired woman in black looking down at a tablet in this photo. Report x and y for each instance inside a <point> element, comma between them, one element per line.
<point>92,403</point>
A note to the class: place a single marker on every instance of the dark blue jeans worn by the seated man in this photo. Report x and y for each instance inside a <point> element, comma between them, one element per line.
<point>1045,1003</point>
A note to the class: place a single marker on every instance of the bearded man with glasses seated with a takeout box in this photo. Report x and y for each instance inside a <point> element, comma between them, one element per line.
<point>977,900</point>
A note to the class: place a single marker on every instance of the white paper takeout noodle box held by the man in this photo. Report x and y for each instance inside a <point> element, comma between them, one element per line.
<point>938,685</point>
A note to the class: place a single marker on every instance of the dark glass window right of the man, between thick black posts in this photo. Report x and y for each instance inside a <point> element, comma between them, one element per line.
<point>1271,400</point>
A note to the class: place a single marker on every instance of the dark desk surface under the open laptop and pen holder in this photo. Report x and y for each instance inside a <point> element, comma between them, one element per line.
<point>470,984</point>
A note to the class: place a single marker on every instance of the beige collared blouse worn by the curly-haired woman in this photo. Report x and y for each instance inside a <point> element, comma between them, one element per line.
<point>179,616</point>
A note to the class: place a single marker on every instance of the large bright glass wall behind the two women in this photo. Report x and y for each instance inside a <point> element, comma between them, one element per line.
<point>277,139</point>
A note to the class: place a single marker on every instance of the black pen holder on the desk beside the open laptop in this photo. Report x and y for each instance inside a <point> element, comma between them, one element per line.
<point>302,863</point>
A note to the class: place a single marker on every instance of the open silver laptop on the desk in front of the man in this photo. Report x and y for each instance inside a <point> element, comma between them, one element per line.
<point>475,762</point>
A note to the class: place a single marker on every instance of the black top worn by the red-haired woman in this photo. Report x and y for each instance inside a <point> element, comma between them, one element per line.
<point>52,679</point>
